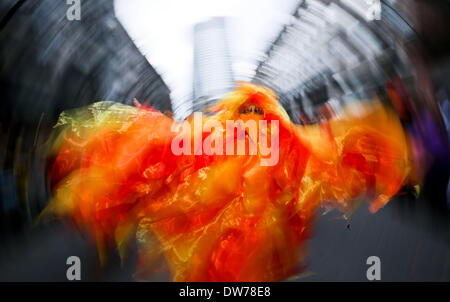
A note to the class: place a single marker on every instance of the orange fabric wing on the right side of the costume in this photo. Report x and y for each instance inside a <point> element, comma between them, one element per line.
<point>358,157</point>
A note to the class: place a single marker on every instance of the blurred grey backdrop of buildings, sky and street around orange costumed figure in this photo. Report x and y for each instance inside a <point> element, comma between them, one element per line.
<point>318,55</point>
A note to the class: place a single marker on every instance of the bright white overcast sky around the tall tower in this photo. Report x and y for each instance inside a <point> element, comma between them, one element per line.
<point>162,30</point>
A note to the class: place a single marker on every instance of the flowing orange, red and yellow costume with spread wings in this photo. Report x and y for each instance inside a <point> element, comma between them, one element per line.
<point>219,217</point>
